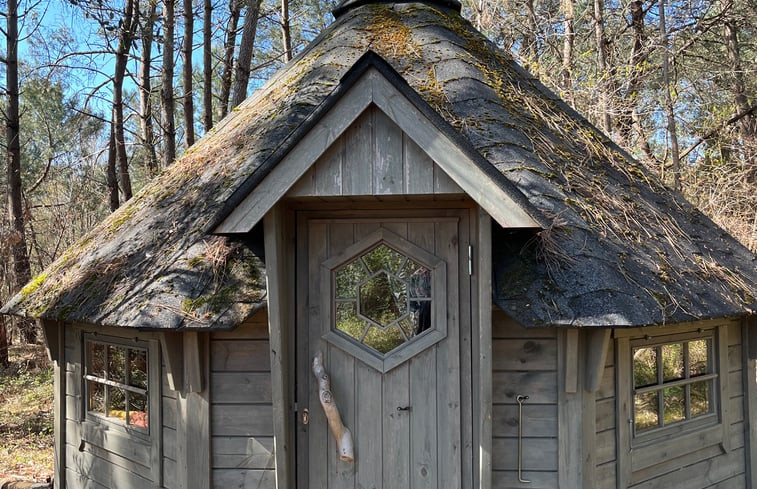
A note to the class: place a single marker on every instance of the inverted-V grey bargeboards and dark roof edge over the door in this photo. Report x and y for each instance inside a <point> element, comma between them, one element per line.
<point>372,81</point>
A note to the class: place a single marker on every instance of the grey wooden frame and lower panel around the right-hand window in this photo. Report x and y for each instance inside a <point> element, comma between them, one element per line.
<point>654,452</point>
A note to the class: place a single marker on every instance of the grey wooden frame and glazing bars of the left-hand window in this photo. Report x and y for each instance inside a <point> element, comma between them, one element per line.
<point>152,393</point>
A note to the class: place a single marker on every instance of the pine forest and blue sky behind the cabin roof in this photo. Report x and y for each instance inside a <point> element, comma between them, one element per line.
<point>101,95</point>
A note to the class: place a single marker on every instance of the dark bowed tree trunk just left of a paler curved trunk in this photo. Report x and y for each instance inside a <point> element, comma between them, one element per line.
<point>126,36</point>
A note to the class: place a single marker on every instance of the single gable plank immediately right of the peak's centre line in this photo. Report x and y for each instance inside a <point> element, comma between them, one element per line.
<point>388,172</point>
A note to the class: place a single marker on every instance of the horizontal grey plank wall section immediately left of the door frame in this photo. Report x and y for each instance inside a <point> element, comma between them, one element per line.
<point>241,407</point>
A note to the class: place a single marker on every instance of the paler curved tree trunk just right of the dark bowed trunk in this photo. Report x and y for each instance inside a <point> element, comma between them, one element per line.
<point>145,90</point>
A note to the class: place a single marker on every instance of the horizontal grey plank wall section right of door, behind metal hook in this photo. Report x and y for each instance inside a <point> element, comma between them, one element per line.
<point>524,362</point>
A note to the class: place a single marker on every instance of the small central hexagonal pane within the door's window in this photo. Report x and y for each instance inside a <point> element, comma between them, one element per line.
<point>383,299</point>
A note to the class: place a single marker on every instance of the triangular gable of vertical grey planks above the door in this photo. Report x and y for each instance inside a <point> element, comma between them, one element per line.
<point>373,158</point>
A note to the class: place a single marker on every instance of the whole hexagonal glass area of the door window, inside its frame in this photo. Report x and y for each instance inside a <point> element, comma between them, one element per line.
<point>382,298</point>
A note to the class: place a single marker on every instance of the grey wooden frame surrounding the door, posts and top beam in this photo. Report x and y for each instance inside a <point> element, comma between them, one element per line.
<point>281,247</point>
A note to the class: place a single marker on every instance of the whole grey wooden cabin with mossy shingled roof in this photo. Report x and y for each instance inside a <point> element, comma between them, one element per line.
<point>402,263</point>
